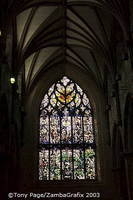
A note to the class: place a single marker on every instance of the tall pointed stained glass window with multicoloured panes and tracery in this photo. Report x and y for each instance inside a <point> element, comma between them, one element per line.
<point>67,139</point>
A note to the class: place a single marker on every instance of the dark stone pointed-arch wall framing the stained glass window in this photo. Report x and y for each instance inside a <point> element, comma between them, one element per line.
<point>31,124</point>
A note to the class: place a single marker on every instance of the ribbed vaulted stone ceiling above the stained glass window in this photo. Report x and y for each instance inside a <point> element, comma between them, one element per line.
<point>50,32</point>
